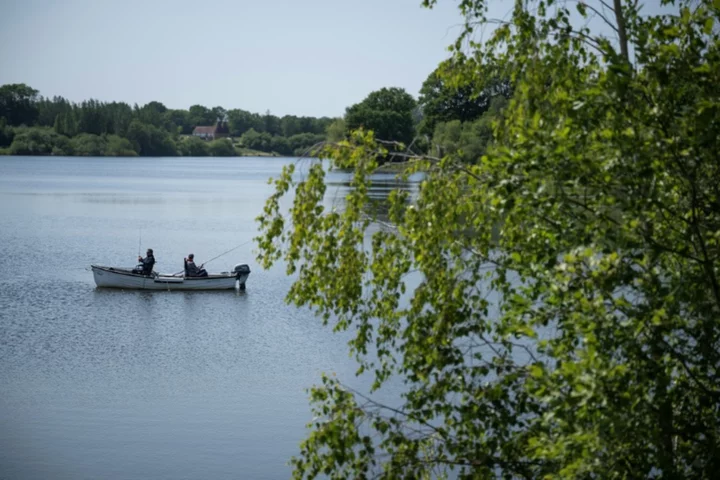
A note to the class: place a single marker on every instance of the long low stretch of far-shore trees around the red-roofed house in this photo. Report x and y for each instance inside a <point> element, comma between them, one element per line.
<point>34,125</point>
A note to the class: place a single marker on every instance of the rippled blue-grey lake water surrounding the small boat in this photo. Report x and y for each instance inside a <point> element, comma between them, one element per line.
<point>102,384</point>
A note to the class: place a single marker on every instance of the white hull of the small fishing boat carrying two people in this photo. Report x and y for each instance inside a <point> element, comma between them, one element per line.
<point>110,277</point>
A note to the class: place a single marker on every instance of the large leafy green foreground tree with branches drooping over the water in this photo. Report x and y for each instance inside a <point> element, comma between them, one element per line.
<point>566,322</point>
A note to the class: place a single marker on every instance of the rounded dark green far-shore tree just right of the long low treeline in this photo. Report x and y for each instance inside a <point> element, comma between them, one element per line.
<point>388,112</point>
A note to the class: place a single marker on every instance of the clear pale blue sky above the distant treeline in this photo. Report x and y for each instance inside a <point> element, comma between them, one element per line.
<point>298,57</point>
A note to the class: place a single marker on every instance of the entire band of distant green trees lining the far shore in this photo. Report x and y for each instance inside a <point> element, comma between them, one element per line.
<point>447,118</point>
